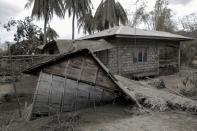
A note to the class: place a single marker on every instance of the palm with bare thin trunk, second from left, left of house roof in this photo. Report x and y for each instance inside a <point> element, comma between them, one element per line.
<point>78,9</point>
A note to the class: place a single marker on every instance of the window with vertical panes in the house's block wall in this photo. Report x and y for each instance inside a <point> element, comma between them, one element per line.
<point>140,55</point>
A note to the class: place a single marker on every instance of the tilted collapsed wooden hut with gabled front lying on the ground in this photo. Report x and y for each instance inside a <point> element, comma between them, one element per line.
<point>70,82</point>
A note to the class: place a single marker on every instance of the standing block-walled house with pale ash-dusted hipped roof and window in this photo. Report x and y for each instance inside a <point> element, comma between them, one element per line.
<point>139,53</point>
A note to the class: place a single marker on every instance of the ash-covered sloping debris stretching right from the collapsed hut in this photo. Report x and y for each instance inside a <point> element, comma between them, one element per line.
<point>158,99</point>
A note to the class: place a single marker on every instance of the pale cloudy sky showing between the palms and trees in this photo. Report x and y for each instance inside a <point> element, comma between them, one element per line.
<point>14,9</point>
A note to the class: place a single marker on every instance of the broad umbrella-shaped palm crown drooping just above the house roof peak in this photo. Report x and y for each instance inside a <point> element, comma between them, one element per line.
<point>109,14</point>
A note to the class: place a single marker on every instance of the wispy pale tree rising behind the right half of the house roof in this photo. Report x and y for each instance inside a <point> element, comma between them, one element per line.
<point>159,19</point>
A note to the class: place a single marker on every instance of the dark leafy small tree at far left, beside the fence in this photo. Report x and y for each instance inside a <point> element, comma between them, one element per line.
<point>27,36</point>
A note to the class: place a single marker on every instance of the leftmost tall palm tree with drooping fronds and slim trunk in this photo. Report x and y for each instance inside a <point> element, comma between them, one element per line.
<point>45,9</point>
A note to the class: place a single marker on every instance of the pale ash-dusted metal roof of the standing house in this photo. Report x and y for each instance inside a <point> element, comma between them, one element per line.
<point>122,31</point>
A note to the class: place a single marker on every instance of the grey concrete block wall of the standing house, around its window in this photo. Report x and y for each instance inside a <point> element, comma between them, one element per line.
<point>120,58</point>
